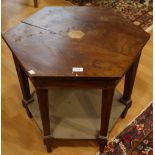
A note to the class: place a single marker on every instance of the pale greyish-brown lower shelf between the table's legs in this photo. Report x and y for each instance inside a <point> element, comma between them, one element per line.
<point>75,113</point>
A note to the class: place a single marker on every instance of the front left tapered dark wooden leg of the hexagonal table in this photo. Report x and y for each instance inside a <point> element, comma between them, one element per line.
<point>42,95</point>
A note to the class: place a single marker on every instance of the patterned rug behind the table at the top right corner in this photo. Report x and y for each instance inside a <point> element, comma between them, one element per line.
<point>141,14</point>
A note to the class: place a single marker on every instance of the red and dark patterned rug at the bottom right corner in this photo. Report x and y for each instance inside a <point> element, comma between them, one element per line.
<point>136,139</point>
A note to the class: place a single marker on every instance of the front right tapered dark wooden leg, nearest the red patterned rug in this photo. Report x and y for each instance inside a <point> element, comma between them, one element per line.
<point>107,98</point>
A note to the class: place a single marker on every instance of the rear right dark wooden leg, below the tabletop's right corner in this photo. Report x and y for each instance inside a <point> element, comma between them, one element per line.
<point>128,87</point>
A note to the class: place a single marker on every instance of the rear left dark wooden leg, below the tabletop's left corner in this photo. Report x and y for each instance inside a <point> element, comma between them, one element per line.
<point>24,85</point>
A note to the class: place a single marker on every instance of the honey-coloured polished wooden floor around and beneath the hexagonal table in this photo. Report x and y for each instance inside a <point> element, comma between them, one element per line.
<point>14,137</point>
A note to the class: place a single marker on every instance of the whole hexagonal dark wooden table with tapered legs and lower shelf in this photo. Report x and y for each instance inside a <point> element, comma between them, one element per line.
<point>76,47</point>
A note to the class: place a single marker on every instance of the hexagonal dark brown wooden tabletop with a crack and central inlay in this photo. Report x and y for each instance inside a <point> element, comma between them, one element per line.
<point>108,47</point>
